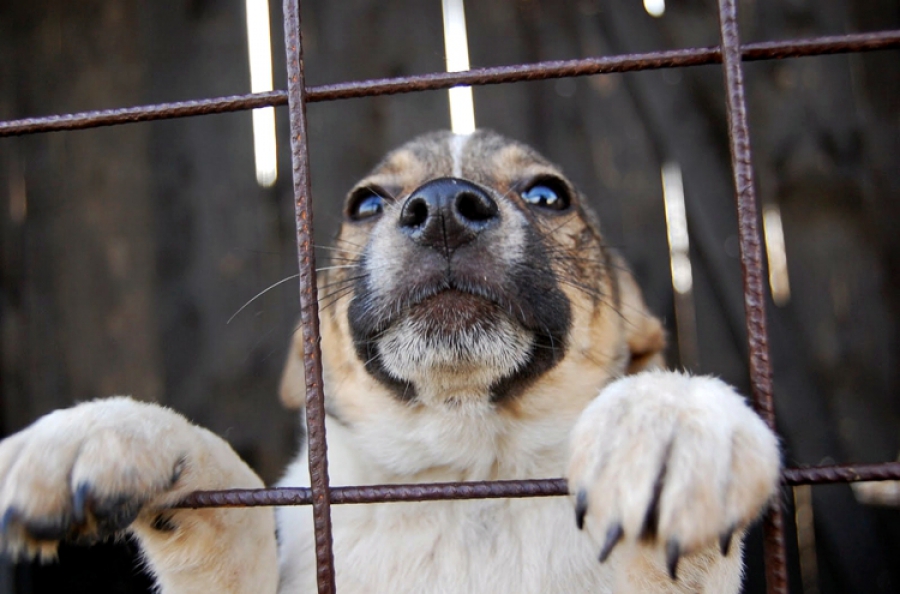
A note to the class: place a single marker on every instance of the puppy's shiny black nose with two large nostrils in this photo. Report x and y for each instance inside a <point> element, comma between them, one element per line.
<point>447,213</point>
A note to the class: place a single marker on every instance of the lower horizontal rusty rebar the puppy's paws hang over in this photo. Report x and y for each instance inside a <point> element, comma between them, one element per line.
<point>816,475</point>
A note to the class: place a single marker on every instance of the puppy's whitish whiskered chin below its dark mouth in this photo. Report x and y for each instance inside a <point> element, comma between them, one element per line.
<point>454,346</point>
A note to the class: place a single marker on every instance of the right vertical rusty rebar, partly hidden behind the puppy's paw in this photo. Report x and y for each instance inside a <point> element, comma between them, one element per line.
<point>751,263</point>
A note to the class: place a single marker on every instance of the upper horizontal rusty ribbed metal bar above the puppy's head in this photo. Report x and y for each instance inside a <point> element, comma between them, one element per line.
<point>478,76</point>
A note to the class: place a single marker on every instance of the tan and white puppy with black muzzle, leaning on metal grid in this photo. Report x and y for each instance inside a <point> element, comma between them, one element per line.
<point>475,326</point>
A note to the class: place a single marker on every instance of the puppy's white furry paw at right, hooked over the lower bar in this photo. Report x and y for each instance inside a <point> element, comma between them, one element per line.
<point>670,459</point>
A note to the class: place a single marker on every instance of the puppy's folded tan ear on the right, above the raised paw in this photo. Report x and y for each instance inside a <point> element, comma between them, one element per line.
<point>644,333</point>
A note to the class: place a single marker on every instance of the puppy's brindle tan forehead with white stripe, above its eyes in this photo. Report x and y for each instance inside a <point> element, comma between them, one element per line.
<point>483,157</point>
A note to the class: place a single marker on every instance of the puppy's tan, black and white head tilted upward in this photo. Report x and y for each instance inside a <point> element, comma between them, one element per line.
<point>469,273</point>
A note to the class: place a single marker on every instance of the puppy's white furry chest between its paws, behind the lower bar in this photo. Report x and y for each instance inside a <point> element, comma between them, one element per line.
<point>517,546</point>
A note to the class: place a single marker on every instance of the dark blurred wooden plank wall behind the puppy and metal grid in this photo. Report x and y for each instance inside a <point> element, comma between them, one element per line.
<point>126,252</point>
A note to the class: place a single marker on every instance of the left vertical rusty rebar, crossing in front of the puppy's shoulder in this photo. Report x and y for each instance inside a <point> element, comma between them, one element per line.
<point>309,311</point>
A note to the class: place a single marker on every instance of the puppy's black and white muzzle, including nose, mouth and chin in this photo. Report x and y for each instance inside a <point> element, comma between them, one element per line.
<point>456,281</point>
